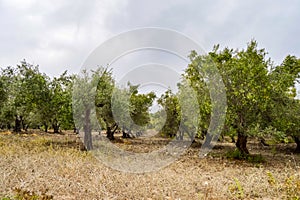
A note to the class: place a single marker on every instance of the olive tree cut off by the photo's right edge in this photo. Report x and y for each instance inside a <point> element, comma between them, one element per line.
<point>284,109</point>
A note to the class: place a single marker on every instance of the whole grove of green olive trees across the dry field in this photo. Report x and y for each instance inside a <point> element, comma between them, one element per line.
<point>260,99</point>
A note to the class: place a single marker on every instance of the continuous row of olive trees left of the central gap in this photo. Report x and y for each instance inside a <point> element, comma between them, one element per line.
<point>31,99</point>
